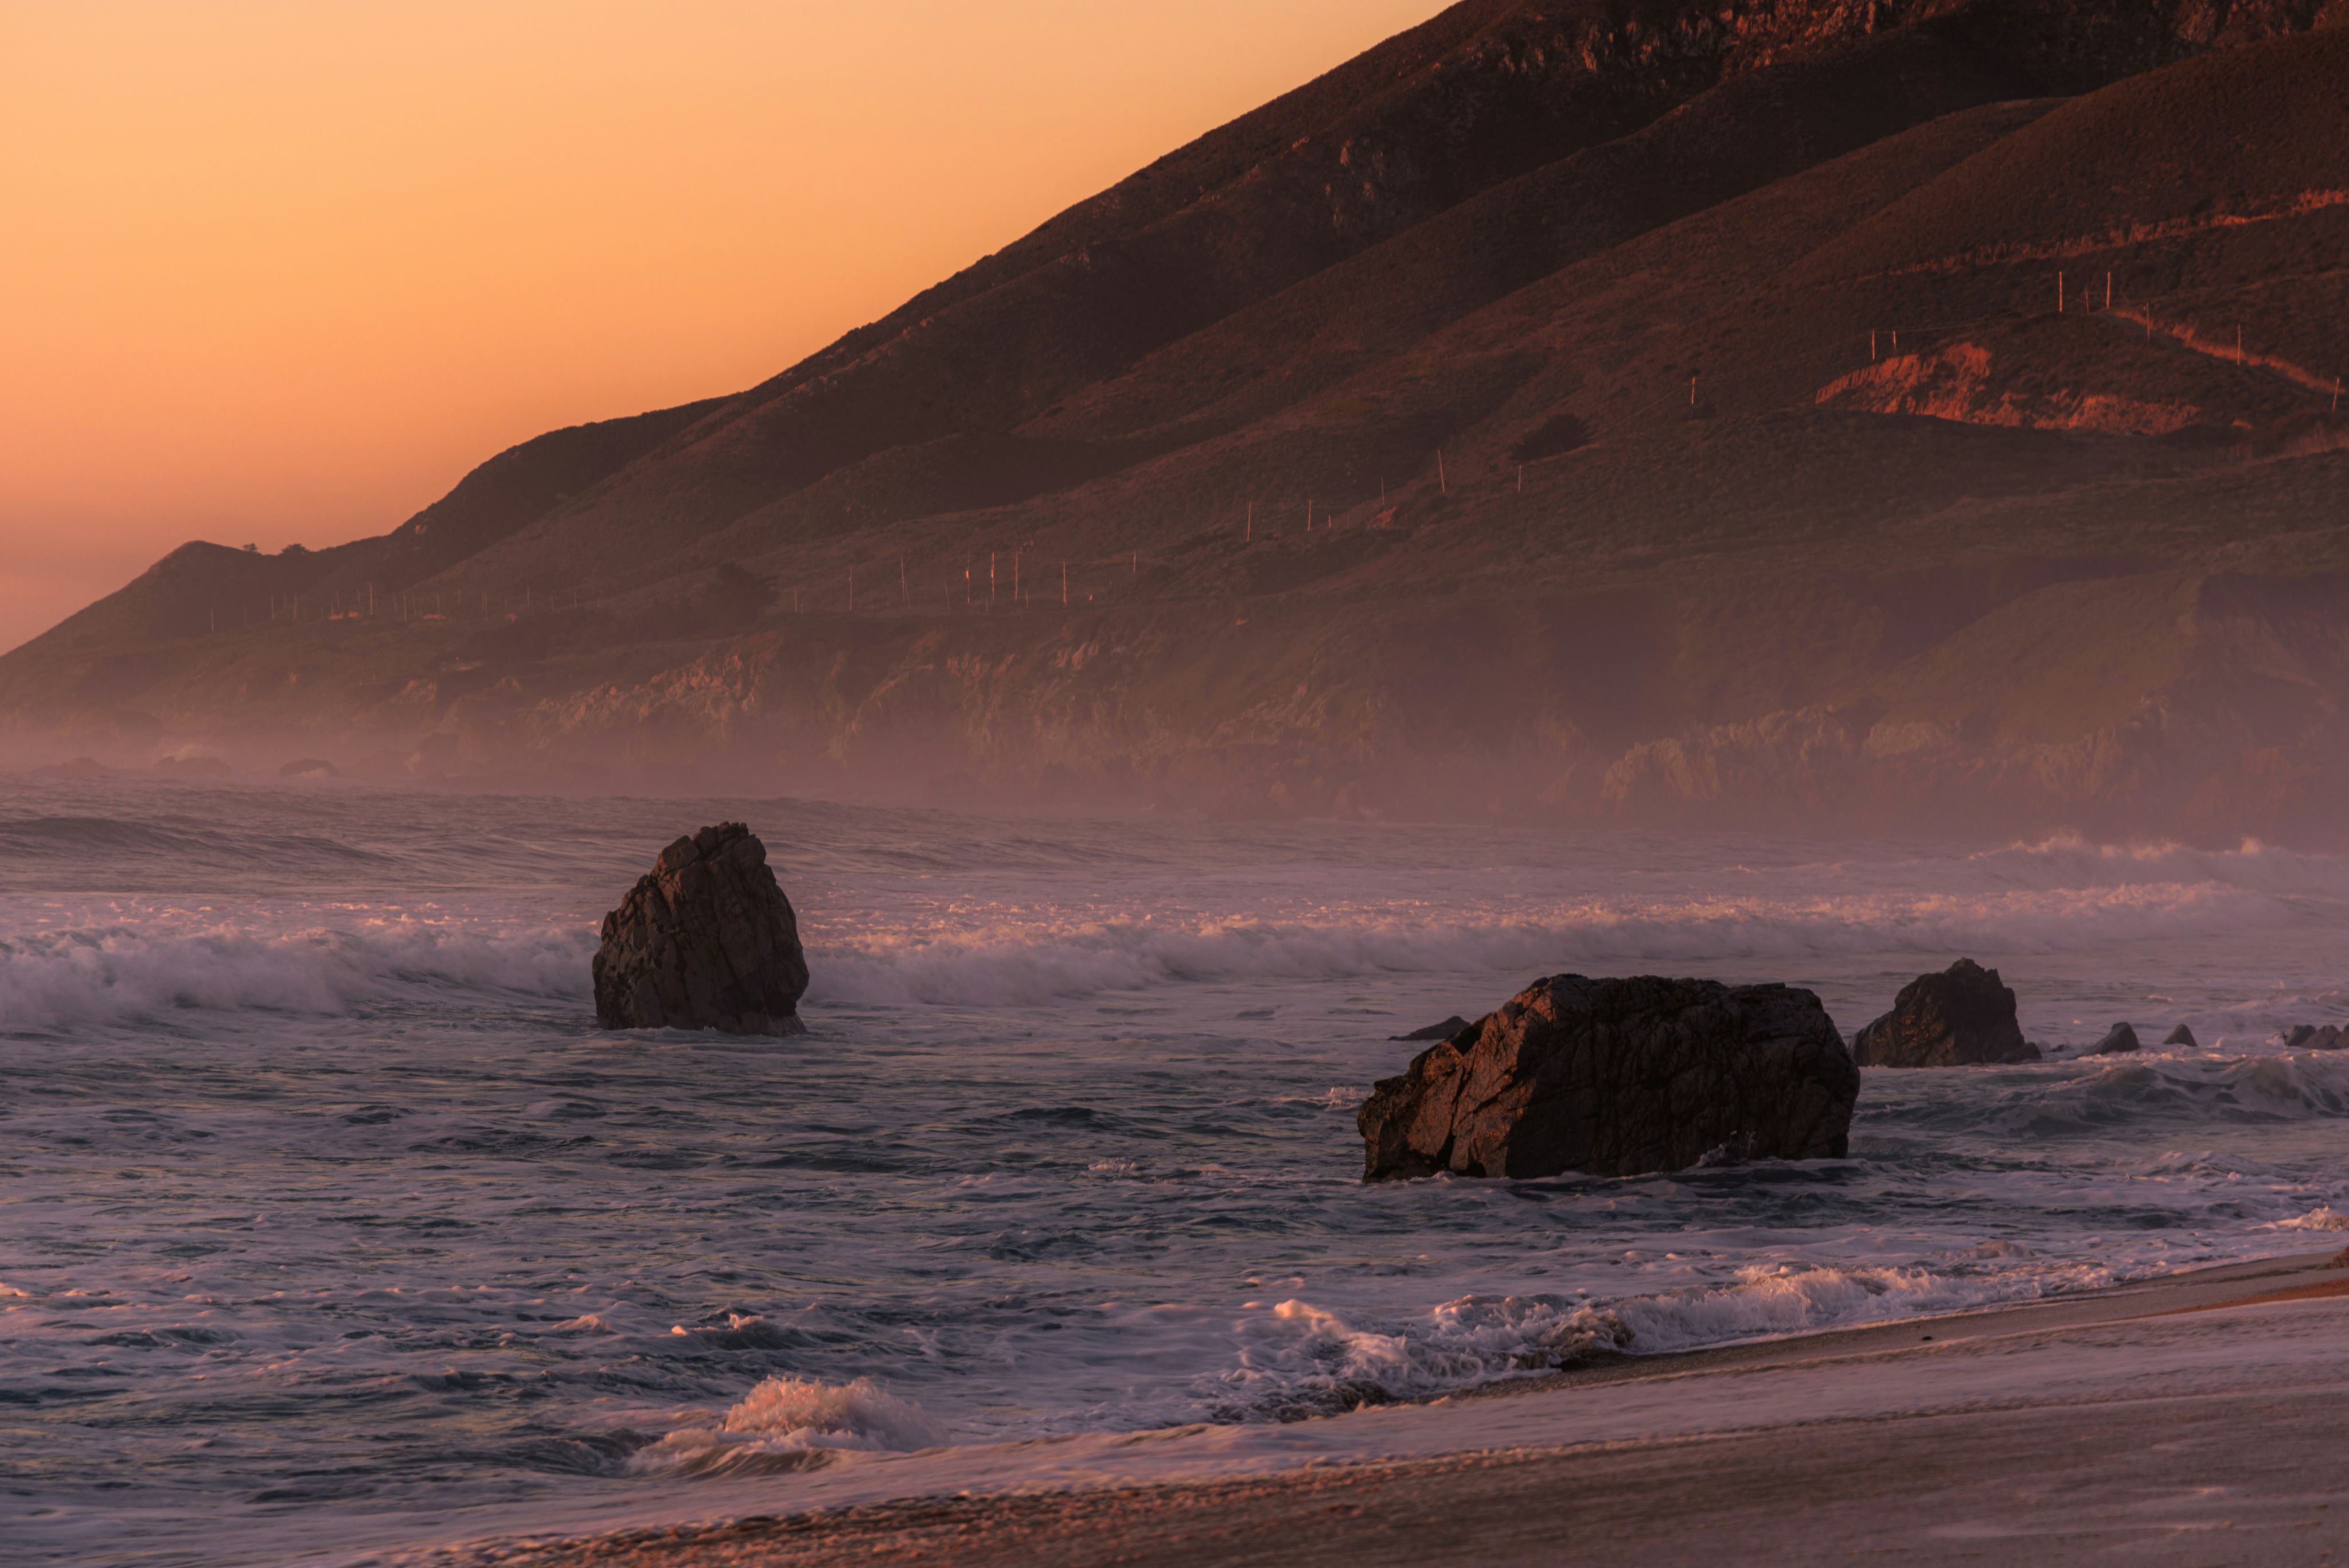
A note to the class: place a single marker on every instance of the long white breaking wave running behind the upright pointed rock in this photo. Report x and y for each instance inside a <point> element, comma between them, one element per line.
<point>1009,958</point>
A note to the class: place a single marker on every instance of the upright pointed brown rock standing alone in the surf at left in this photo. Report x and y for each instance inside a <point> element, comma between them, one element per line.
<point>706,942</point>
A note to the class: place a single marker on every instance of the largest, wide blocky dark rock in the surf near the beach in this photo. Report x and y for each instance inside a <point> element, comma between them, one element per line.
<point>1620,1078</point>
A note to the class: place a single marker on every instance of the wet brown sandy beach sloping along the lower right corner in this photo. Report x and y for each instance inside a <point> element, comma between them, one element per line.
<point>2193,1419</point>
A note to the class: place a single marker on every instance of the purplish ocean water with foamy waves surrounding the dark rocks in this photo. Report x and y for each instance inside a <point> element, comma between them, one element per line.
<point>330,1219</point>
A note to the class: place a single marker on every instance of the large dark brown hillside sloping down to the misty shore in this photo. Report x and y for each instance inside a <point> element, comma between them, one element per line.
<point>1885,417</point>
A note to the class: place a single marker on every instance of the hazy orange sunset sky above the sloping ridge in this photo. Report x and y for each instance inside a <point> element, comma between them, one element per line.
<point>285,269</point>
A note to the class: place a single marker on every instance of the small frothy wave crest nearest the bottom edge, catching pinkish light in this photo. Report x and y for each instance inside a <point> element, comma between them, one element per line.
<point>788,1423</point>
